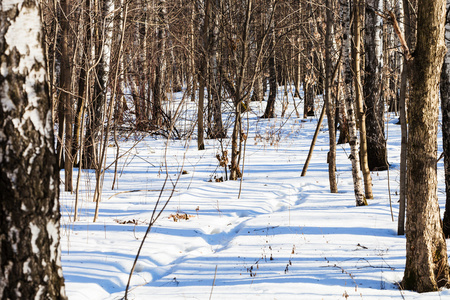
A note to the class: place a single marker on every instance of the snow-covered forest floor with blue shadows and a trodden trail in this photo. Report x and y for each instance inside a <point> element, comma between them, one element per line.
<point>275,235</point>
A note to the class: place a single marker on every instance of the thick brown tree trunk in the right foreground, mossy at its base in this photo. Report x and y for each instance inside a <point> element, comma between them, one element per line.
<point>426,250</point>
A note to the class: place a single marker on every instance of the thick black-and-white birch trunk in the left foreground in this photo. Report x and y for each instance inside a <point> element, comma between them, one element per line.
<point>30,257</point>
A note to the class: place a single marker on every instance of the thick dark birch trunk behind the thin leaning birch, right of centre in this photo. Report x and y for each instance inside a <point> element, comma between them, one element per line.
<point>376,144</point>
